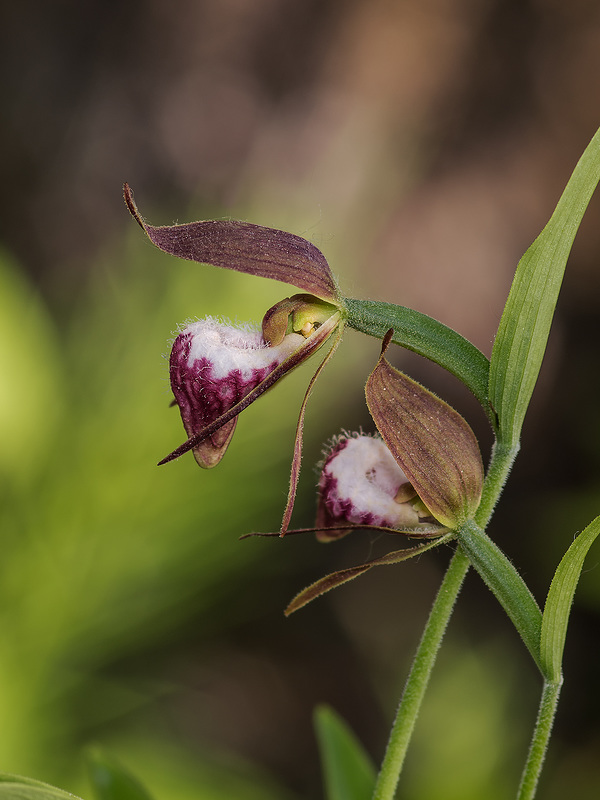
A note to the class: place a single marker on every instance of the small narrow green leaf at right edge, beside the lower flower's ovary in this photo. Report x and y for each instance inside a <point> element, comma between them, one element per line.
<point>560,599</point>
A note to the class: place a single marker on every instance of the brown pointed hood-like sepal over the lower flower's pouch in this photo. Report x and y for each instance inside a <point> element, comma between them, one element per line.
<point>432,443</point>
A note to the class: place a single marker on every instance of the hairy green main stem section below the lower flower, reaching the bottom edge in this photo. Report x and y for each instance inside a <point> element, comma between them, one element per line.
<point>418,678</point>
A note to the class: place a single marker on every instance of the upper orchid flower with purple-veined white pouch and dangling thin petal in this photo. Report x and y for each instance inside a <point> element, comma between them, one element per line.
<point>217,370</point>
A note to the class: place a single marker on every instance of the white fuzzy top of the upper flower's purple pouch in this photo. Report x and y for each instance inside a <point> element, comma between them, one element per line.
<point>228,347</point>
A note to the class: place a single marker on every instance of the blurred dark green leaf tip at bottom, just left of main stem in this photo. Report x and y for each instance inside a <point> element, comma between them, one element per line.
<point>348,771</point>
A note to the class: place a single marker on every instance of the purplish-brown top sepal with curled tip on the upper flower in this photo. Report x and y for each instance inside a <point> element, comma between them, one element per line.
<point>245,247</point>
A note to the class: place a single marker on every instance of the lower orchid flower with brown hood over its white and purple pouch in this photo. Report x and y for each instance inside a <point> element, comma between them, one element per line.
<point>421,476</point>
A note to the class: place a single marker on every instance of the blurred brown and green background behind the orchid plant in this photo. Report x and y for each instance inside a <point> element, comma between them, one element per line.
<point>422,145</point>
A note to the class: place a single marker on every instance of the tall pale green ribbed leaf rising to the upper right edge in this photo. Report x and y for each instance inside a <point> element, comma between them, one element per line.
<point>525,325</point>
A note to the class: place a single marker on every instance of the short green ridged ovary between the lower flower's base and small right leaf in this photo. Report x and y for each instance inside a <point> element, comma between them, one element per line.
<point>505,582</point>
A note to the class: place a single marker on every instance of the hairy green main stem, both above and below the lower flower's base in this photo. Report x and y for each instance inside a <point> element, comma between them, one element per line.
<point>500,464</point>
